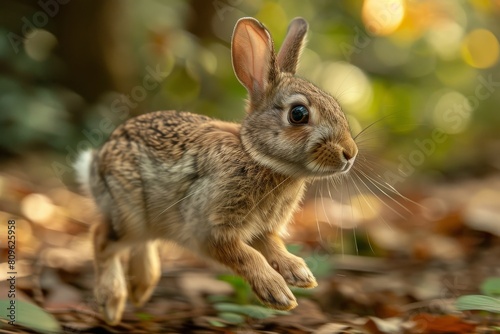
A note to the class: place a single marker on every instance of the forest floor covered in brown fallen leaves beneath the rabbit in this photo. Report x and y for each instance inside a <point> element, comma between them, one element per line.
<point>376,275</point>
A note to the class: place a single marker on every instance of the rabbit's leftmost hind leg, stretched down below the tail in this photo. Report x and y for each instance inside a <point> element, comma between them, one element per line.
<point>110,287</point>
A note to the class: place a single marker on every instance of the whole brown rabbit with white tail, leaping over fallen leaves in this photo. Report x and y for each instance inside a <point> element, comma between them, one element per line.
<point>223,190</point>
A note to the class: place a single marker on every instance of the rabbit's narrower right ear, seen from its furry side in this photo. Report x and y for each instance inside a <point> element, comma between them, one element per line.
<point>288,56</point>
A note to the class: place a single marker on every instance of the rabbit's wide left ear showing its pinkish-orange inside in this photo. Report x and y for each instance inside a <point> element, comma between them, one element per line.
<point>254,61</point>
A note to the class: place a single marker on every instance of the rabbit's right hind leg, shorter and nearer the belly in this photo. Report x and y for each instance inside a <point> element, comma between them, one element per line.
<point>144,271</point>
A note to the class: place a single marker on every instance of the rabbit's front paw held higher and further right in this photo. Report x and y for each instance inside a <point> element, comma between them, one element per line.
<point>295,271</point>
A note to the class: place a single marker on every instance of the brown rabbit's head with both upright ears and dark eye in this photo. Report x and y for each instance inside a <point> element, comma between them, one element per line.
<point>291,126</point>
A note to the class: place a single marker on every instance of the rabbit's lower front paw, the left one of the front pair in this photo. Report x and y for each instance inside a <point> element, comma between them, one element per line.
<point>273,292</point>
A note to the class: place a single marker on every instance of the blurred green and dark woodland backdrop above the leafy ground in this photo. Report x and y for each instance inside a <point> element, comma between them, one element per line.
<point>71,68</point>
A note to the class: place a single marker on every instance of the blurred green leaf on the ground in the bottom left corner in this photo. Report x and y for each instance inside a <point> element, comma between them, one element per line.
<point>30,316</point>
